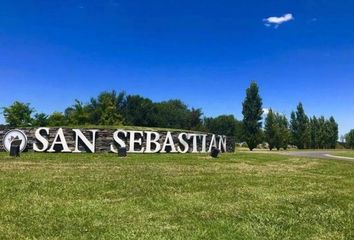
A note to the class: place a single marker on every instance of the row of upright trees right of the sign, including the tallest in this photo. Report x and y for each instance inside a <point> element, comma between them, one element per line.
<point>301,131</point>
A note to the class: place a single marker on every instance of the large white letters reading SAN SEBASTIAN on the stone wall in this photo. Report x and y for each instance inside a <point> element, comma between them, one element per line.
<point>134,141</point>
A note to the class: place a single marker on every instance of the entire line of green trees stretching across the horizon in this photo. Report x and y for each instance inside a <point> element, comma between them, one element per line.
<point>256,127</point>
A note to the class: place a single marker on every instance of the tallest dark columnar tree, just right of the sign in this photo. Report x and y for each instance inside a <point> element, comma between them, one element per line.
<point>252,116</point>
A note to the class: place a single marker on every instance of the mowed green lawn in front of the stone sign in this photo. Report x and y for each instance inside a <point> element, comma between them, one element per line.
<point>175,196</point>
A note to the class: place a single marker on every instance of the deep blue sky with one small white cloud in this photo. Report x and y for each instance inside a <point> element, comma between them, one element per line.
<point>205,53</point>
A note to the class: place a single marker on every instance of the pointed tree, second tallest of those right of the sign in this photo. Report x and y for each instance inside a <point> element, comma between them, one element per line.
<point>299,128</point>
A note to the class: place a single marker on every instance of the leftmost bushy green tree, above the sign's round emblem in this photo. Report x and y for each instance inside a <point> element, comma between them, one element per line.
<point>18,114</point>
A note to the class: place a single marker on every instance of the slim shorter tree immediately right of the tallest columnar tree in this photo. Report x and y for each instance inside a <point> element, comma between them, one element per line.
<point>271,130</point>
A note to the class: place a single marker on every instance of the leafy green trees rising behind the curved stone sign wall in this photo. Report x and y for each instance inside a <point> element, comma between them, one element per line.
<point>115,109</point>
